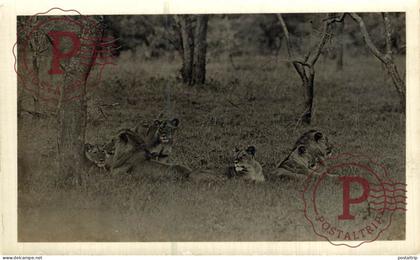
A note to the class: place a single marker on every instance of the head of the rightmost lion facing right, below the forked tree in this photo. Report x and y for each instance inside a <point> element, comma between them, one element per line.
<point>316,143</point>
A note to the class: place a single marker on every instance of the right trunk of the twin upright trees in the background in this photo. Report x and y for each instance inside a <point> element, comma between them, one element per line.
<point>200,49</point>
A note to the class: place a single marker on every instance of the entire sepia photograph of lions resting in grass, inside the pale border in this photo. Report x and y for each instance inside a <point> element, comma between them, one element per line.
<point>211,127</point>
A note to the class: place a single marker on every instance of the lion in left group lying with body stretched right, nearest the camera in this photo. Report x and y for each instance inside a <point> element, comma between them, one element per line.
<point>132,156</point>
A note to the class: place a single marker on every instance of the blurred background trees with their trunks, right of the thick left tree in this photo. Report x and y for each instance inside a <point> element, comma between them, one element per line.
<point>194,37</point>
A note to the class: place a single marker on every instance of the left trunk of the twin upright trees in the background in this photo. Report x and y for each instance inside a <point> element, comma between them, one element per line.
<point>188,48</point>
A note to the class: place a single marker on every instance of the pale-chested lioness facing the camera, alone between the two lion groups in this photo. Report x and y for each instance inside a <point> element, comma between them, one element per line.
<point>246,166</point>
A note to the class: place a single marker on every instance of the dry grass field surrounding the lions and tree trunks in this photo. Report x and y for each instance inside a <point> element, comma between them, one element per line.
<point>256,104</point>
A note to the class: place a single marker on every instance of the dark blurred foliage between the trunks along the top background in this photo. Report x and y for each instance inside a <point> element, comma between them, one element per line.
<point>153,36</point>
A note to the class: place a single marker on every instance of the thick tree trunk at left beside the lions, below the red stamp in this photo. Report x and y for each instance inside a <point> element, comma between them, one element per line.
<point>72,116</point>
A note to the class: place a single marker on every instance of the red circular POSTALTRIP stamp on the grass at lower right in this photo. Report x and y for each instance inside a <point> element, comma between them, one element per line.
<point>352,200</point>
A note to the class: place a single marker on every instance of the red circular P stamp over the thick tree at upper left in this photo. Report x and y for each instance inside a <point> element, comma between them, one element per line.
<point>60,56</point>
